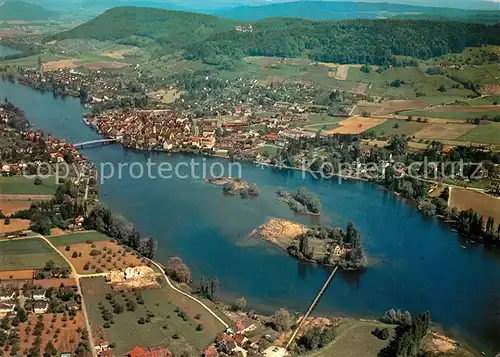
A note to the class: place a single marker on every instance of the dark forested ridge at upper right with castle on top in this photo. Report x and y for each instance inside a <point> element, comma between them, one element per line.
<point>354,41</point>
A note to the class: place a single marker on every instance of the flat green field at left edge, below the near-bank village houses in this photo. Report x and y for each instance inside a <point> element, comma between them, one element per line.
<point>20,185</point>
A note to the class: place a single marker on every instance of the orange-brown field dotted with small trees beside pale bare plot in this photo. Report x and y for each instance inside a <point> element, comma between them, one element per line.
<point>99,256</point>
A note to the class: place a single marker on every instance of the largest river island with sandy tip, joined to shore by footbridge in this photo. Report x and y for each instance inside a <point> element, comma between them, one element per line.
<point>323,245</point>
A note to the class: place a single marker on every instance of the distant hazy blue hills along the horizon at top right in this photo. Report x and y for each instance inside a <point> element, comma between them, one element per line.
<point>344,10</point>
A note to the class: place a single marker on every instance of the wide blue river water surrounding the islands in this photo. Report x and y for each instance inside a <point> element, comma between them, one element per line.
<point>417,264</point>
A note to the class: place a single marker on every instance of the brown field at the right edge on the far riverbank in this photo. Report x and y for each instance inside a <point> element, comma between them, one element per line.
<point>486,205</point>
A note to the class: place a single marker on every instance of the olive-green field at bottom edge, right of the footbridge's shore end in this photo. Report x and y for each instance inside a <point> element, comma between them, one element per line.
<point>354,339</point>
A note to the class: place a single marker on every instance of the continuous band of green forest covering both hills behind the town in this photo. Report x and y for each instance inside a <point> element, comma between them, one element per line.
<point>214,40</point>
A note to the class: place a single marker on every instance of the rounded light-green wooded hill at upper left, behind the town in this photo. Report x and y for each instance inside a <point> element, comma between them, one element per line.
<point>171,29</point>
